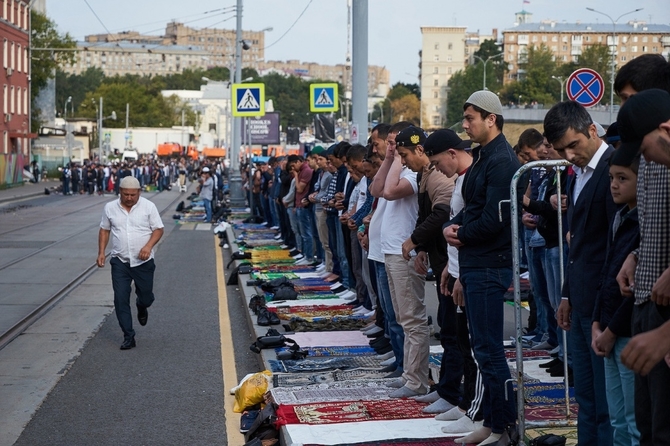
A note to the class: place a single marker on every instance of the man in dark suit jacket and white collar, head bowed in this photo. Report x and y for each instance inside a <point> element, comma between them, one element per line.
<point>569,127</point>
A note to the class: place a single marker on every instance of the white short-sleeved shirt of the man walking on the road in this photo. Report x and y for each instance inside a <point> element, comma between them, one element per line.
<point>130,231</point>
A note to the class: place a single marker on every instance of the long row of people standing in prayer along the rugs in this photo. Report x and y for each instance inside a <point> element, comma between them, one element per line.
<point>380,217</point>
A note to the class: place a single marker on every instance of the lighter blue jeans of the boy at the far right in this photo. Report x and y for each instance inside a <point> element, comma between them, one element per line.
<point>620,385</point>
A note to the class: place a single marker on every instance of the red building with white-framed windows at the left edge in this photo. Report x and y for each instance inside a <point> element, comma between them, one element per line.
<point>14,77</point>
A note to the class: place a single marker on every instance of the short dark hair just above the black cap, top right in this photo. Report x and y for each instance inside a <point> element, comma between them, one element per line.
<point>644,72</point>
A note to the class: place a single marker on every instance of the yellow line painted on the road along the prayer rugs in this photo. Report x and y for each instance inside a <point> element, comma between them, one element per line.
<point>227,355</point>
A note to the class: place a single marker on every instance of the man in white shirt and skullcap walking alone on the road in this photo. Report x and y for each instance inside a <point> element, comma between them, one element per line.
<point>136,227</point>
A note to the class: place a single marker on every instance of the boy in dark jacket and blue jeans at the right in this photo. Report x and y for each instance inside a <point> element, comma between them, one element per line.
<point>611,329</point>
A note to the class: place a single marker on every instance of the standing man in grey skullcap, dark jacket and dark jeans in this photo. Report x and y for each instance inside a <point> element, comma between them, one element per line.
<point>485,256</point>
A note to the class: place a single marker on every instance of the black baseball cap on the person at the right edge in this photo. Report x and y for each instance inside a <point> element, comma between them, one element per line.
<point>642,113</point>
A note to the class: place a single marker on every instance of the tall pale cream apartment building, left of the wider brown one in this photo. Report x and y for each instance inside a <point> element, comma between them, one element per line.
<point>443,53</point>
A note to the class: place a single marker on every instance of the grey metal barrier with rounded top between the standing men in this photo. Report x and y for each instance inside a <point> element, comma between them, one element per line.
<point>514,215</point>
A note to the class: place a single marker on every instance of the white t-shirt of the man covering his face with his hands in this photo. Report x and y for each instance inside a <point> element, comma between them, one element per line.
<point>400,217</point>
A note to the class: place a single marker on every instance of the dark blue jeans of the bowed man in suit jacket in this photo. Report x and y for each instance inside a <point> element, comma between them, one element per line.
<point>593,424</point>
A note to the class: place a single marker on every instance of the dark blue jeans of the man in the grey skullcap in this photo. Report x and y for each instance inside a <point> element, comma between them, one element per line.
<point>484,290</point>
